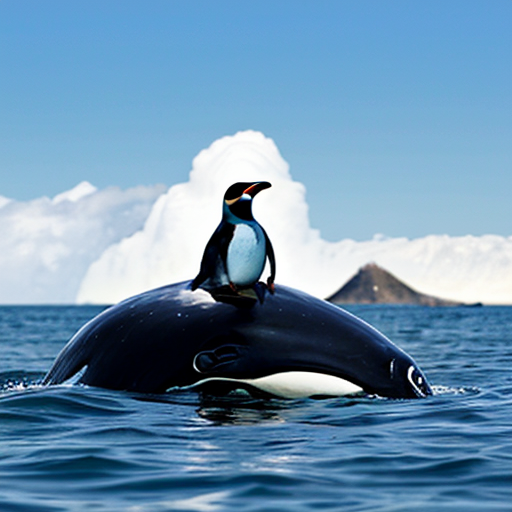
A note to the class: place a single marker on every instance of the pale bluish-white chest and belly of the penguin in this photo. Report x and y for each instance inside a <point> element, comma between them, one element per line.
<point>246,255</point>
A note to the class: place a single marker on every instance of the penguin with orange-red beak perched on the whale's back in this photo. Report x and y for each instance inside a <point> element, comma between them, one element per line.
<point>236,253</point>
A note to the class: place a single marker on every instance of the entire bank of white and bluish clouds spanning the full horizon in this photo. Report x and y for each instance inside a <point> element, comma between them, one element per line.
<point>100,246</point>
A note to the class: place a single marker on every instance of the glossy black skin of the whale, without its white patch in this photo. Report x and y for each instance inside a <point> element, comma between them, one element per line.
<point>174,337</point>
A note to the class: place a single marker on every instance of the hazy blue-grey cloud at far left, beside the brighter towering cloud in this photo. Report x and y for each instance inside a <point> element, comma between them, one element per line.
<point>47,245</point>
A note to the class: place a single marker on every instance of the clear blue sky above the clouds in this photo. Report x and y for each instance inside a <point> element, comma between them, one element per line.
<point>396,115</point>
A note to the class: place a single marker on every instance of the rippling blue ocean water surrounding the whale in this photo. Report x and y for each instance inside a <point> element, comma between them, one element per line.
<point>73,448</point>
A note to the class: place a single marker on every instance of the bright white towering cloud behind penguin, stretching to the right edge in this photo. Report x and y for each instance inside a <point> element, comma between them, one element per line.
<point>170,245</point>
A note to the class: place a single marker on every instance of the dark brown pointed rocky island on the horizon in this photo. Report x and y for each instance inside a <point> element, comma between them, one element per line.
<point>374,285</point>
